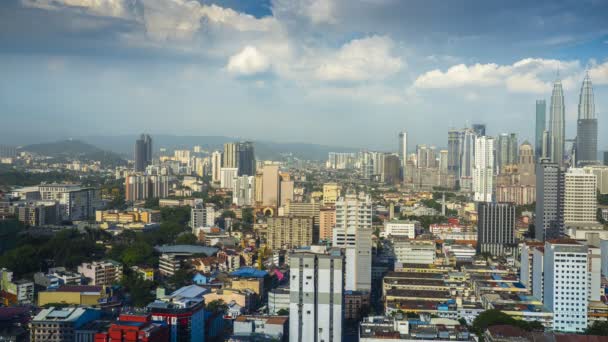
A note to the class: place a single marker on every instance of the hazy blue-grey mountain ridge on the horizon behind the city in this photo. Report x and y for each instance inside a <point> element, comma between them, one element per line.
<point>115,149</point>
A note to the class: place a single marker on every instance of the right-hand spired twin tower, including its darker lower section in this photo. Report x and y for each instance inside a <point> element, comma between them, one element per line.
<point>586,126</point>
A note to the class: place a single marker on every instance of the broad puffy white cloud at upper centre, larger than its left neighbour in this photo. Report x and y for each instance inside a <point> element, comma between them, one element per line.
<point>363,59</point>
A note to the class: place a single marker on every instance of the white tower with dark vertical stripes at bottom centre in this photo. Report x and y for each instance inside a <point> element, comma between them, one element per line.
<point>316,295</point>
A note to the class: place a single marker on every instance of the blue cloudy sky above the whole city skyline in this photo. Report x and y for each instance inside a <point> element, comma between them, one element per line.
<point>349,73</point>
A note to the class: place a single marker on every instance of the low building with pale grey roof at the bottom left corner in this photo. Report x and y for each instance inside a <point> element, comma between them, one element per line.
<point>55,324</point>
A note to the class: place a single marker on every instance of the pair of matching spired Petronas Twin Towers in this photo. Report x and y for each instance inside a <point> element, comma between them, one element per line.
<point>585,151</point>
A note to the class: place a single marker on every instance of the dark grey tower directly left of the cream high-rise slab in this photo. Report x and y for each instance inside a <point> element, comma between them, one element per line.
<point>549,218</point>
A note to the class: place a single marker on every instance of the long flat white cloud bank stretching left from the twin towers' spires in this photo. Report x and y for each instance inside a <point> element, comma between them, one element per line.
<point>529,75</point>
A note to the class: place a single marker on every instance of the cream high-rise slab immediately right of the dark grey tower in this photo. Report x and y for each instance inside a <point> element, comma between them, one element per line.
<point>580,196</point>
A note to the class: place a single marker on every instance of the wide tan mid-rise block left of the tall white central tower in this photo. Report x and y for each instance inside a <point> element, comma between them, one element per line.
<point>289,232</point>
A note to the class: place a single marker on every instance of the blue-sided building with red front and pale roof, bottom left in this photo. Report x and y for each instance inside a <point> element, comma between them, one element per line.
<point>183,311</point>
